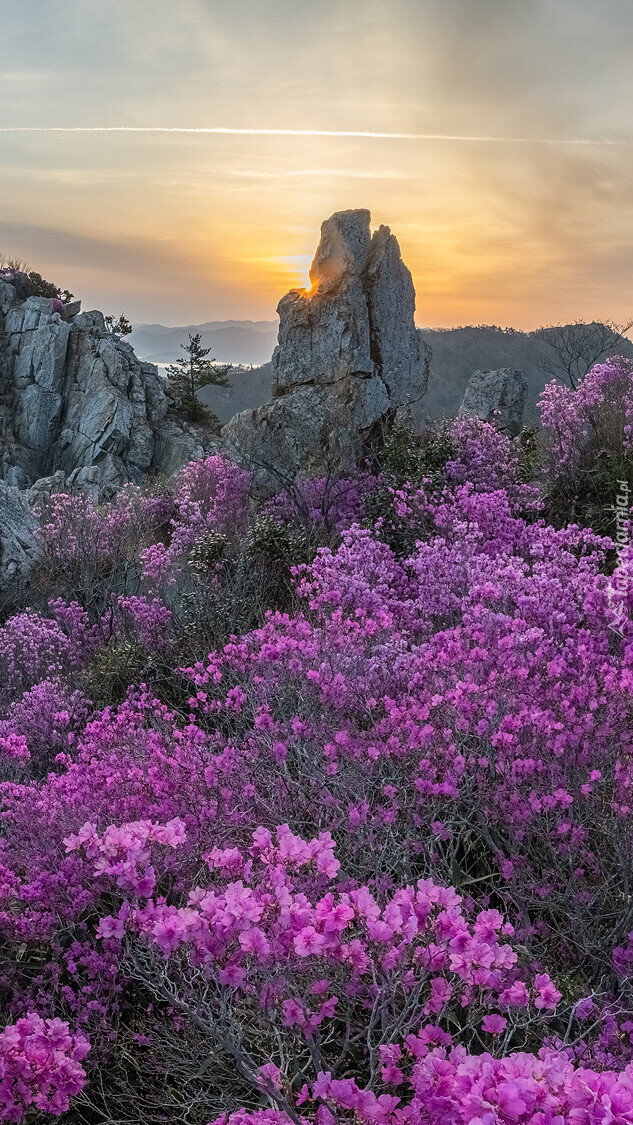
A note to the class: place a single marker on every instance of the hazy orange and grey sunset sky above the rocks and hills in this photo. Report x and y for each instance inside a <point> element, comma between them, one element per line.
<point>507,172</point>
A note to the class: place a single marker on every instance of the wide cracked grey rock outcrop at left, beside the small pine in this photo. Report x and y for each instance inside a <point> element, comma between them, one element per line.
<point>75,398</point>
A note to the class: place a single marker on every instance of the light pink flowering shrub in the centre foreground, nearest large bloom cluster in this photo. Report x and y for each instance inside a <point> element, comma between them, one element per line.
<point>284,947</point>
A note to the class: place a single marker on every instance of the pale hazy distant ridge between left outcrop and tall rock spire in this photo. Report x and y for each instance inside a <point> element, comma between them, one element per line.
<point>231,341</point>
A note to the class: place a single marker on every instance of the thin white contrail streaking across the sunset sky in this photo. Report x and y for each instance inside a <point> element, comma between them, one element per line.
<point>312,133</point>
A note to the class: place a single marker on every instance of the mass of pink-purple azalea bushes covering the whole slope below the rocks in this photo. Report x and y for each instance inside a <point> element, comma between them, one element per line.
<point>322,811</point>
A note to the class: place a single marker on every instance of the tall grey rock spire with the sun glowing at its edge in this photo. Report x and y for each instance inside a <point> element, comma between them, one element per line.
<point>349,358</point>
